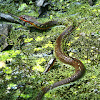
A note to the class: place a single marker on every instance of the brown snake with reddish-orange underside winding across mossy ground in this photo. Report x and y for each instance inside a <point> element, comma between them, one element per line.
<point>76,63</point>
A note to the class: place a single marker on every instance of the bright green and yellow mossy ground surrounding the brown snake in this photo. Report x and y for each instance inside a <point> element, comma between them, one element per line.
<point>21,69</point>
